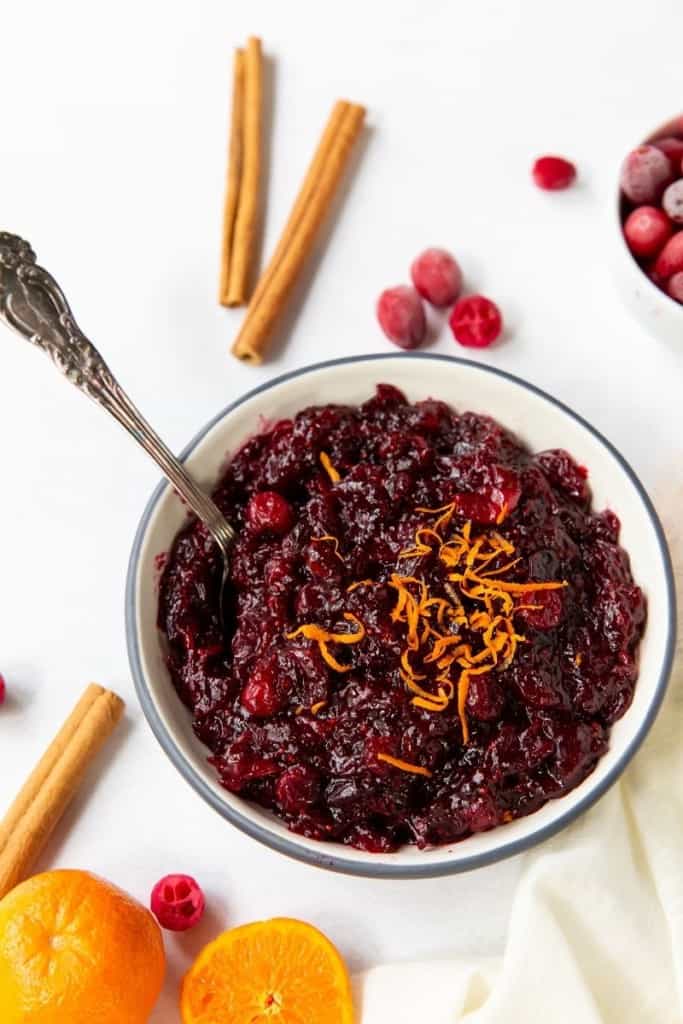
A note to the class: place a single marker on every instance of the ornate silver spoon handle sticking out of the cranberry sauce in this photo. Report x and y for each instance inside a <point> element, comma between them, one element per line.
<point>32,304</point>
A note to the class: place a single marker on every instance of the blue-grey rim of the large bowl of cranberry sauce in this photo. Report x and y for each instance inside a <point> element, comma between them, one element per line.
<point>321,858</point>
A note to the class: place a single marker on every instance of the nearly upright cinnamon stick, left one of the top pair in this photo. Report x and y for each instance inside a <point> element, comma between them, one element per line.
<point>247,216</point>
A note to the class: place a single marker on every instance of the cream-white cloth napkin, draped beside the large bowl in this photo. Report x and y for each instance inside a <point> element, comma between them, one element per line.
<point>596,933</point>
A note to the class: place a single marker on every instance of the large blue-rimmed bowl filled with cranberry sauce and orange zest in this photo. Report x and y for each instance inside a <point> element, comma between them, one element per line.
<point>450,619</point>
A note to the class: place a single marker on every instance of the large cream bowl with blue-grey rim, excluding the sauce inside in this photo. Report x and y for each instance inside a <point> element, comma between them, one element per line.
<point>539,421</point>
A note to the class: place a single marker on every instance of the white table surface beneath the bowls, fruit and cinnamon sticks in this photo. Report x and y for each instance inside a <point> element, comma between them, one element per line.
<point>112,163</point>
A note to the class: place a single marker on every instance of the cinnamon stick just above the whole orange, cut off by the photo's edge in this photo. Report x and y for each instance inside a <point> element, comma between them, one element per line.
<point>49,791</point>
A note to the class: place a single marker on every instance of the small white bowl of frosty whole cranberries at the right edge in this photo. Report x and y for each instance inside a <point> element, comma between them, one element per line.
<point>651,214</point>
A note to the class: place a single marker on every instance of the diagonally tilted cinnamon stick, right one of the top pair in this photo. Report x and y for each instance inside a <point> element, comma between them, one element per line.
<point>306,221</point>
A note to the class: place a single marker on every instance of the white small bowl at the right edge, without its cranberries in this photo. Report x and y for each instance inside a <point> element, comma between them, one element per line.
<point>659,314</point>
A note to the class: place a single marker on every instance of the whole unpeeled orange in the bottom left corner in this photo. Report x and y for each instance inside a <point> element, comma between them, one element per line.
<point>75,950</point>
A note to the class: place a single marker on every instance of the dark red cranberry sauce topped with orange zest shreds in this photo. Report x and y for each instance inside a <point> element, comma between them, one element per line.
<point>430,633</point>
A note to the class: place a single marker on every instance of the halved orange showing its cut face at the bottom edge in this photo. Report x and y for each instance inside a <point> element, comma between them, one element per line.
<point>273,972</point>
